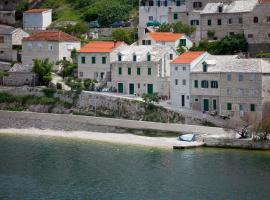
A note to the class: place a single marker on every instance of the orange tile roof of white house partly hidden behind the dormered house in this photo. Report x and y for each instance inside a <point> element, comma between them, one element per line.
<point>165,36</point>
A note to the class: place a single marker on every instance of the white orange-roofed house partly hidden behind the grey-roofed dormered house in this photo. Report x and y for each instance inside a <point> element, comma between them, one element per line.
<point>166,38</point>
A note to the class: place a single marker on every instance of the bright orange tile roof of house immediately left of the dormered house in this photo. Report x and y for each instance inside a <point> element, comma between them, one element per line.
<point>99,46</point>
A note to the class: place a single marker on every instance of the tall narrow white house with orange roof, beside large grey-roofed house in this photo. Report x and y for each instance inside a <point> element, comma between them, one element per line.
<point>180,82</point>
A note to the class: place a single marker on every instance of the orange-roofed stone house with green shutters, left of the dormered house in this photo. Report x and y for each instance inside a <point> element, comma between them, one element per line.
<point>94,59</point>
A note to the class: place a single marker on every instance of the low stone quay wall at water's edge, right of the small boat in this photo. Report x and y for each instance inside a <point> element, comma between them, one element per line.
<point>236,143</point>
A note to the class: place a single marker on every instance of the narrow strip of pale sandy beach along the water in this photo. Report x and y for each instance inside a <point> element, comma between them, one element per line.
<point>127,139</point>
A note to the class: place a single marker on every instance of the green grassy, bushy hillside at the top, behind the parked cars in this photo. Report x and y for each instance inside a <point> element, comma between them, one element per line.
<point>105,11</point>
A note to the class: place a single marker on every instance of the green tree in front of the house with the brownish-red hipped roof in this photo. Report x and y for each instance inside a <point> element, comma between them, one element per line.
<point>43,68</point>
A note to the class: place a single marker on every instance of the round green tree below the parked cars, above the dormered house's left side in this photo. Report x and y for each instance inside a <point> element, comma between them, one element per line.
<point>129,36</point>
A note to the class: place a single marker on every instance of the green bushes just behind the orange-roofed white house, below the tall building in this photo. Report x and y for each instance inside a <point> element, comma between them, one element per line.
<point>177,28</point>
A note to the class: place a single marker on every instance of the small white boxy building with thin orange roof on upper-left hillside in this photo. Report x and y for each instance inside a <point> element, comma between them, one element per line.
<point>37,19</point>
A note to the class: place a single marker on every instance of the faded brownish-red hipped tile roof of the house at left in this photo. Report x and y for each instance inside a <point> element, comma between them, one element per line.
<point>51,36</point>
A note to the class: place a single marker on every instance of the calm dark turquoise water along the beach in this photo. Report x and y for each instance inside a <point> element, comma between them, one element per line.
<point>49,168</point>
